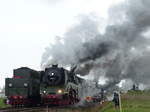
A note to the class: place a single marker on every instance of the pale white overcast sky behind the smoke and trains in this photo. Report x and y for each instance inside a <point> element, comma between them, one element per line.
<point>28,26</point>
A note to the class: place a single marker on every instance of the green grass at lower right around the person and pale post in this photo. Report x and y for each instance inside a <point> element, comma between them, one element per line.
<point>133,101</point>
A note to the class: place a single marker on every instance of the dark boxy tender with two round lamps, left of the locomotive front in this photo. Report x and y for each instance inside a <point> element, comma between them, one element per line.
<point>23,88</point>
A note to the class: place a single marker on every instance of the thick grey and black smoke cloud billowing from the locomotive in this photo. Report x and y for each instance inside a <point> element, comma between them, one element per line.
<point>122,52</point>
